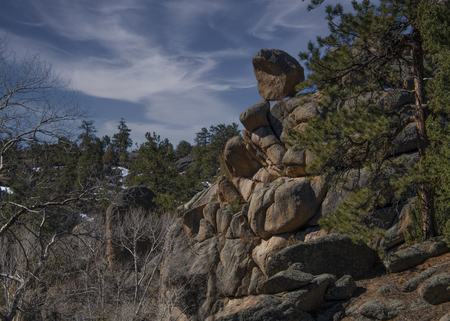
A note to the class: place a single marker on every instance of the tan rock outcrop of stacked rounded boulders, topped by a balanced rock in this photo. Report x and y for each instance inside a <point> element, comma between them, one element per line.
<point>260,239</point>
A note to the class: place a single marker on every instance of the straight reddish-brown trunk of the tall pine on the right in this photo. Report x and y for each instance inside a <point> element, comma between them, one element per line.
<point>426,191</point>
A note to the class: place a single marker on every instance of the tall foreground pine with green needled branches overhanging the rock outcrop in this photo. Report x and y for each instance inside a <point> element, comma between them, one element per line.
<point>367,56</point>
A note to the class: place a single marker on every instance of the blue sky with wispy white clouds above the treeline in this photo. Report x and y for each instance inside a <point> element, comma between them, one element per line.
<point>165,66</point>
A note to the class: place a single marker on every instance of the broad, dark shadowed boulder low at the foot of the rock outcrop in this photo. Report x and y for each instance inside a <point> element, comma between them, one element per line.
<point>332,253</point>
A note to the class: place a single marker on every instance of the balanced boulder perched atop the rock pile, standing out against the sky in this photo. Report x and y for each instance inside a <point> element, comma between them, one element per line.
<point>277,74</point>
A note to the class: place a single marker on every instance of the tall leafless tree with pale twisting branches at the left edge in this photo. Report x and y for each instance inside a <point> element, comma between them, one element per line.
<point>37,112</point>
